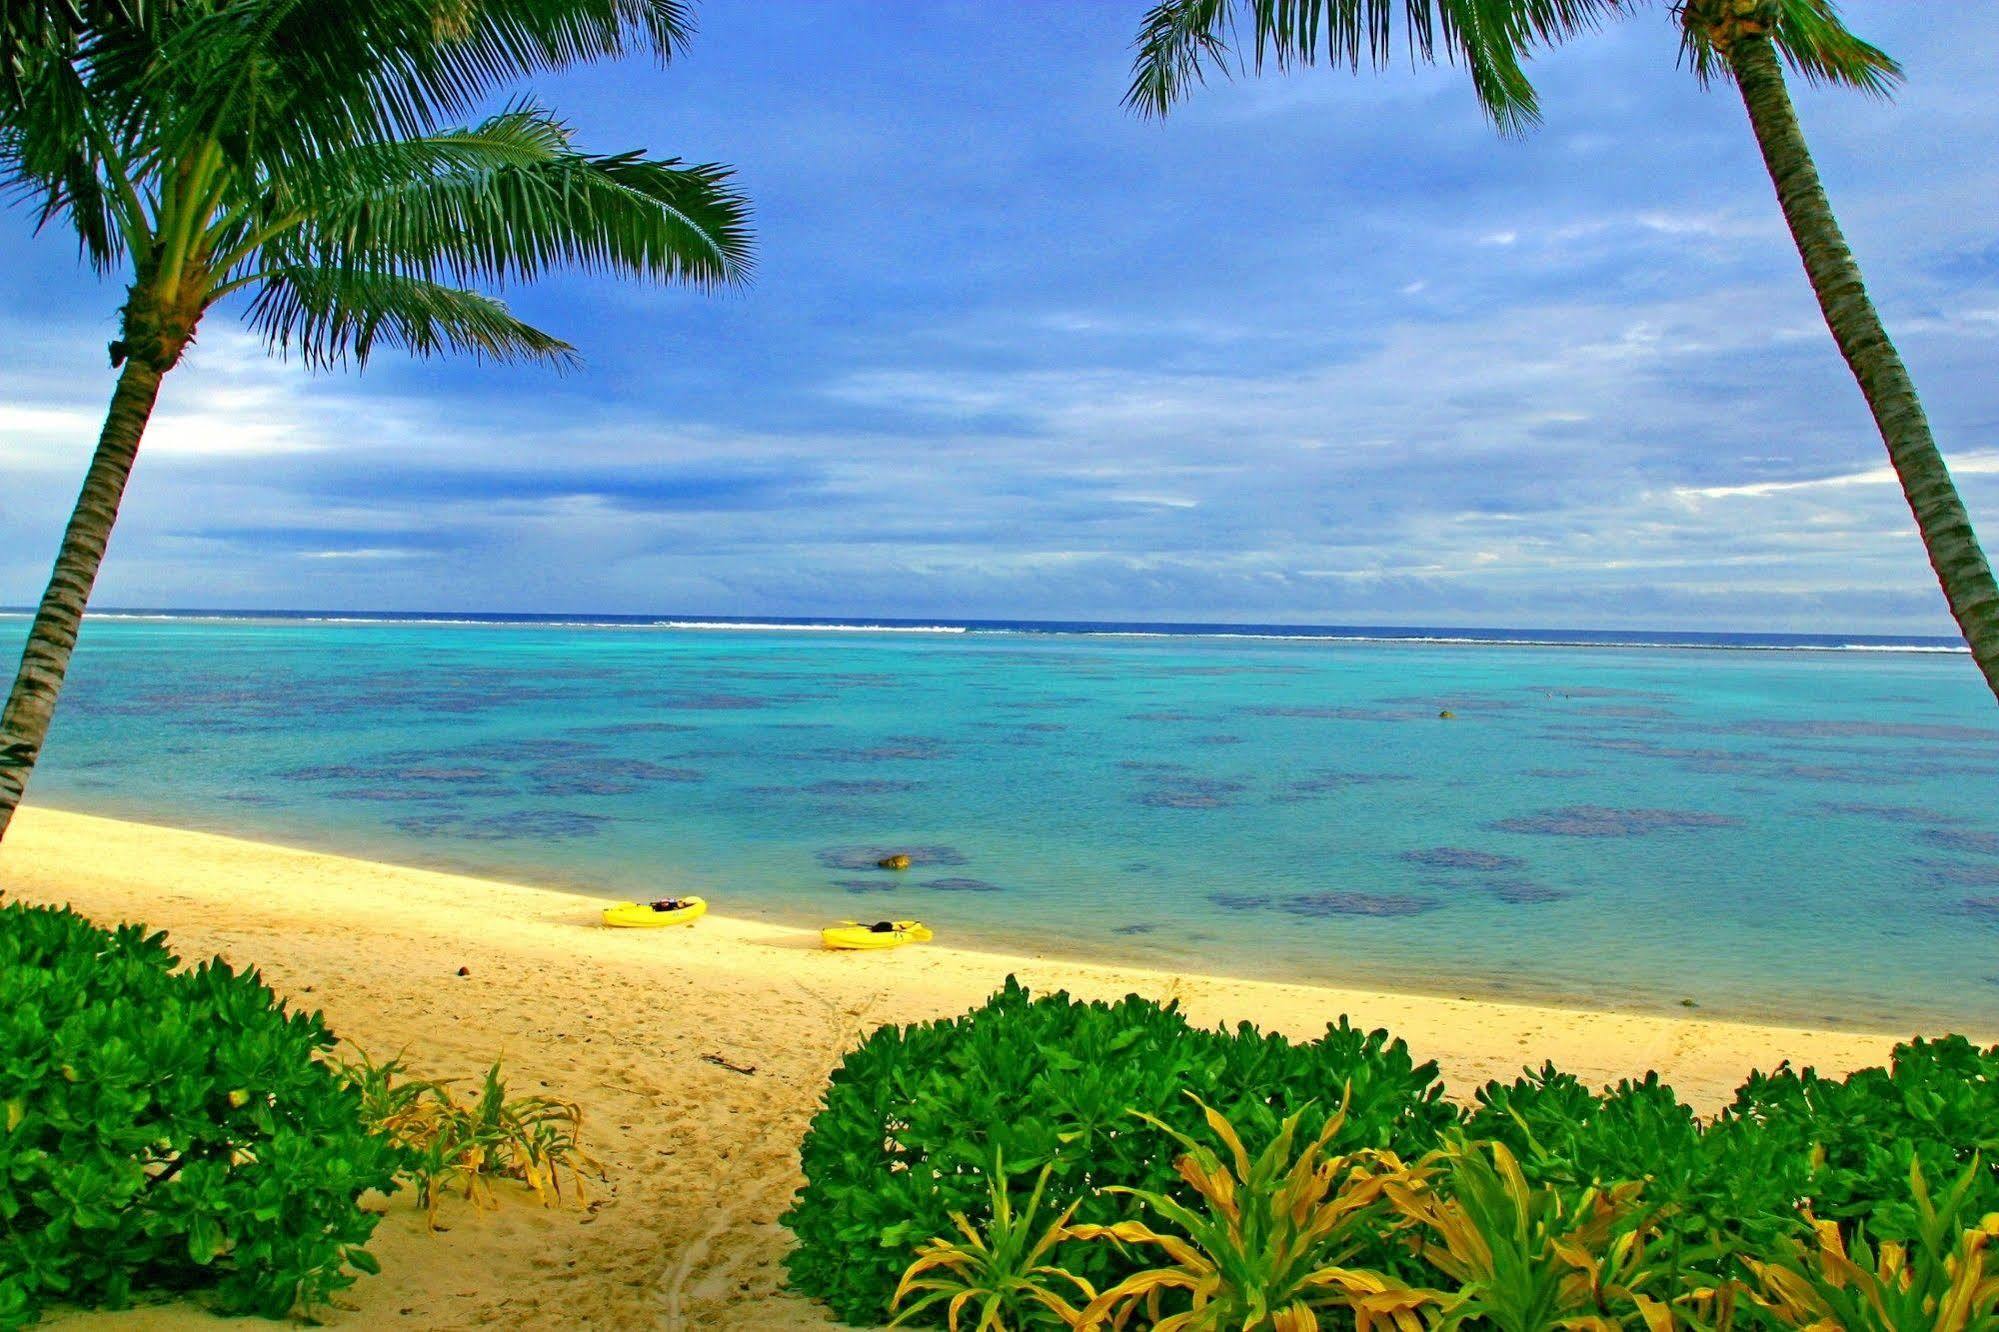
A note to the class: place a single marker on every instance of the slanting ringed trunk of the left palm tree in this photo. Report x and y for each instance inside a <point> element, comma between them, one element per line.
<point>33,701</point>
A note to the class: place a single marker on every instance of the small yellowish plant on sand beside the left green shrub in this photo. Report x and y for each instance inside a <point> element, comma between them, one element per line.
<point>487,1137</point>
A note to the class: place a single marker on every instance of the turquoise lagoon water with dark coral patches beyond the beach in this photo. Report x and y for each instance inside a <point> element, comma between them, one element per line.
<point>1786,835</point>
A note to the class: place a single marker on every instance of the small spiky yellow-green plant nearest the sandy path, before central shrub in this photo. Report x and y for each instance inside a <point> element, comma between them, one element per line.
<point>1002,1273</point>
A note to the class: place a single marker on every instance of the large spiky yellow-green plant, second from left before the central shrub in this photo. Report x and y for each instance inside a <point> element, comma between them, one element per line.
<point>1266,1251</point>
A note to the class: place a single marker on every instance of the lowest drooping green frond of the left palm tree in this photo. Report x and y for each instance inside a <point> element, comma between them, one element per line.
<point>331,317</point>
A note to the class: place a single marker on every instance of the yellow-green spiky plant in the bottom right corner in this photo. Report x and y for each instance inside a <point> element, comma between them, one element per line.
<point>1936,1283</point>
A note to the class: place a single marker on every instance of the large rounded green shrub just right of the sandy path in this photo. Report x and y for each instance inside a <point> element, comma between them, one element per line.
<point>917,1115</point>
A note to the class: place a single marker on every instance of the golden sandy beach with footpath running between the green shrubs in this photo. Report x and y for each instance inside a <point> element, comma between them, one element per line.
<point>645,1029</point>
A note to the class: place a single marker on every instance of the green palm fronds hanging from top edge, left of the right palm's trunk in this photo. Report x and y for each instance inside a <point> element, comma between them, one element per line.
<point>1180,41</point>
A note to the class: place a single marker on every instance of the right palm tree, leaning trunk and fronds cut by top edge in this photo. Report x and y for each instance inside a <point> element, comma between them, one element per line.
<point>1740,41</point>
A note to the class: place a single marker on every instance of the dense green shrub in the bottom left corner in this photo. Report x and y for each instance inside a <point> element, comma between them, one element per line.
<point>169,1131</point>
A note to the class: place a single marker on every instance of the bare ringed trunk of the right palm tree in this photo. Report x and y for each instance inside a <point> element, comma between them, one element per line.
<point>1836,279</point>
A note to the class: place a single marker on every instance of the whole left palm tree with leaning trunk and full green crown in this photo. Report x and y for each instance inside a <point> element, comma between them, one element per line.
<point>297,159</point>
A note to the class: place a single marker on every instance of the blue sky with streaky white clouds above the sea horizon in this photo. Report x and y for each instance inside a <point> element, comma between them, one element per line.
<point>1314,349</point>
